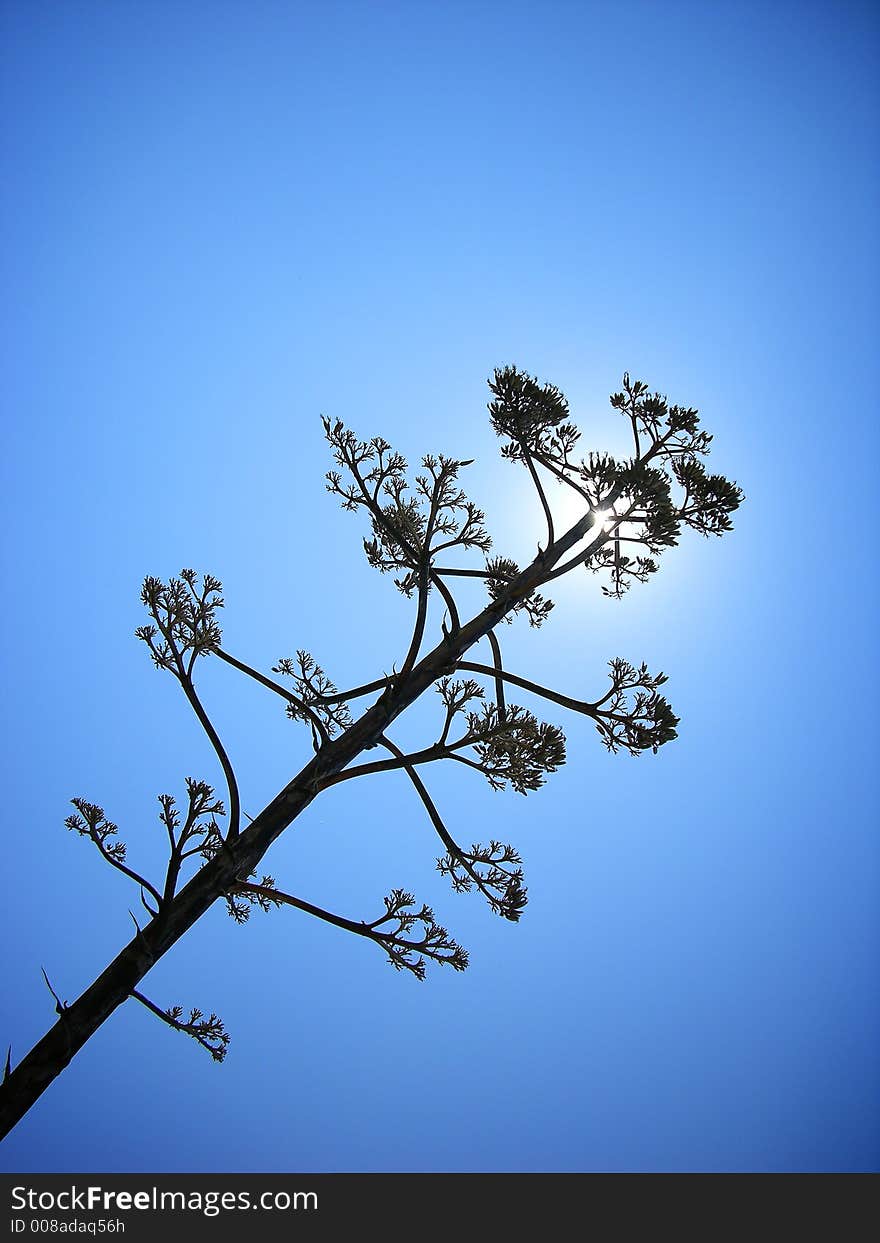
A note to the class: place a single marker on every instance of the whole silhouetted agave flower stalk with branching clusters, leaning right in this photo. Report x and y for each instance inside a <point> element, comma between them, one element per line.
<point>633,510</point>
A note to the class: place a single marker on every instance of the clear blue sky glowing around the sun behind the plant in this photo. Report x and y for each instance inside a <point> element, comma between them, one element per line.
<point>222,221</point>
